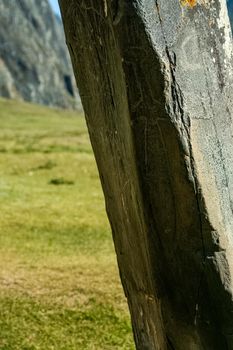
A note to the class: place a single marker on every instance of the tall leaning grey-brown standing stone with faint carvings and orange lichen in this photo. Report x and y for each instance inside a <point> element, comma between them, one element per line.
<point>155,78</point>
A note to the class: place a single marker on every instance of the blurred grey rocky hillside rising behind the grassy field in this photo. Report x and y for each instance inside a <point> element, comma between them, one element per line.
<point>34,62</point>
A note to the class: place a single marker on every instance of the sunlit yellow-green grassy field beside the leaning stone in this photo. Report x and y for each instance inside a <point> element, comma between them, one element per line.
<point>59,284</point>
